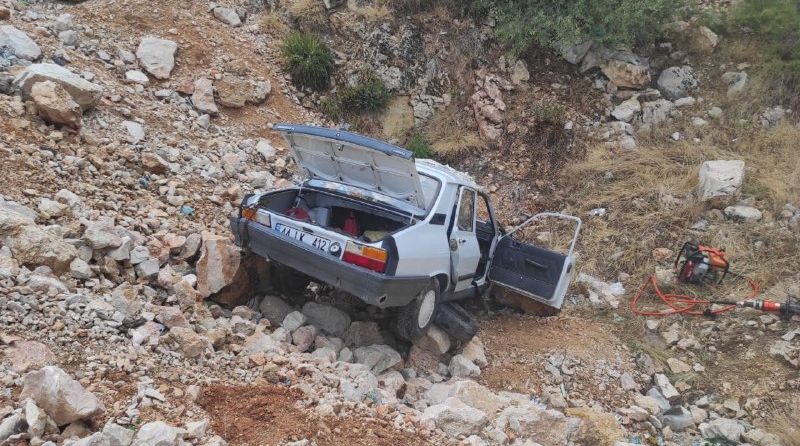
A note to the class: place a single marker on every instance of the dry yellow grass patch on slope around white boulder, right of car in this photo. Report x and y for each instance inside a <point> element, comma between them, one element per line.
<point>648,194</point>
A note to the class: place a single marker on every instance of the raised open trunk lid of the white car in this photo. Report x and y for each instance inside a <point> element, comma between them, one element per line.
<point>355,160</point>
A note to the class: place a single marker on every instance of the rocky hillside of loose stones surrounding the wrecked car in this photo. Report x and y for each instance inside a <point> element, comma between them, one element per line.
<point>129,131</point>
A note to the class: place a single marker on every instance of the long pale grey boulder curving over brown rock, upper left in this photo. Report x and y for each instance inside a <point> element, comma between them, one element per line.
<point>85,93</point>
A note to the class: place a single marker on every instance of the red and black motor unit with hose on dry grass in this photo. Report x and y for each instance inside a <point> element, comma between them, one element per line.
<point>700,264</point>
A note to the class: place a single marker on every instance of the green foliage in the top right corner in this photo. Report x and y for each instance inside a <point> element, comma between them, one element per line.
<point>775,26</point>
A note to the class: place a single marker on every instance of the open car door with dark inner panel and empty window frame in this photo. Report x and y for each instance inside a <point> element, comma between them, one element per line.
<point>532,271</point>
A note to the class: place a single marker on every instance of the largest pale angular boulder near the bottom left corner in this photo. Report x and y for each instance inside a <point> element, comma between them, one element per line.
<point>60,396</point>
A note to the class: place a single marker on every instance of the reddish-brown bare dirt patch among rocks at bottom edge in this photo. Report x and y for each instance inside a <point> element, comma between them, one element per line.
<point>267,415</point>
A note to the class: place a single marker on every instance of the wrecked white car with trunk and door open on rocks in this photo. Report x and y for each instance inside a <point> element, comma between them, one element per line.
<point>396,232</point>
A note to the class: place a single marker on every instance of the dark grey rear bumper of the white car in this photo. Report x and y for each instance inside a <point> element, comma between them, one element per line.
<point>371,287</point>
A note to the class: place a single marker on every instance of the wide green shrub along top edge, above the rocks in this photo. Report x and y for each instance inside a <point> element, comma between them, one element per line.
<point>559,23</point>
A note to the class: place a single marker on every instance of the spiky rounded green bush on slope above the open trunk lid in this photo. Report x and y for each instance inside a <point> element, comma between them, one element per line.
<point>308,59</point>
